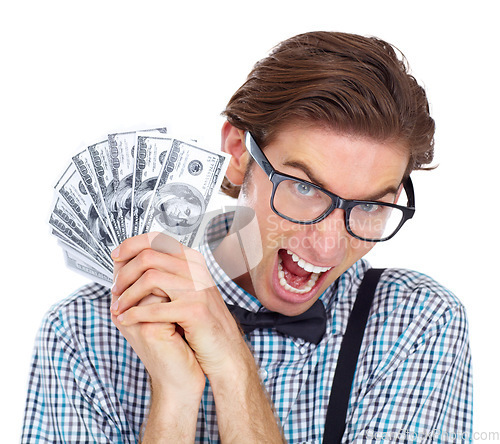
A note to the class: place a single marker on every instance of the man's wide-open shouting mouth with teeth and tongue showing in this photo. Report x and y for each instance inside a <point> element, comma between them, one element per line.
<point>296,275</point>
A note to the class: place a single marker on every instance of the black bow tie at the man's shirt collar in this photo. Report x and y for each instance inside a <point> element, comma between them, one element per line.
<point>310,325</point>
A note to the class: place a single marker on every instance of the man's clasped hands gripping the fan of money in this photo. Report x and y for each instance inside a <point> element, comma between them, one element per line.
<point>167,306</point>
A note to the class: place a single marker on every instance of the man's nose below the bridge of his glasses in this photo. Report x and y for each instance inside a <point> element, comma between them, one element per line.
<point>329,237</point>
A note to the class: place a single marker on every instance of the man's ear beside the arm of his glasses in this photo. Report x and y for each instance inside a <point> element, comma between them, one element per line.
<point>233,142</point>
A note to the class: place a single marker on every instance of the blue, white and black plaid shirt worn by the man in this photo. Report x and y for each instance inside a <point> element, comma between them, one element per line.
<point>413,378</point>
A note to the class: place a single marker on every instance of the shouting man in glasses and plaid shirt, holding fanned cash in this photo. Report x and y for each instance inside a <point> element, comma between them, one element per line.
<point>323,136</point>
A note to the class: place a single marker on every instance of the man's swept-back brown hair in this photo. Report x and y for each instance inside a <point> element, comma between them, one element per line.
<point>349,83</point>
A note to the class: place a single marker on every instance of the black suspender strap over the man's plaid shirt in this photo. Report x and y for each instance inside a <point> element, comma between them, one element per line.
<point>348,358</point>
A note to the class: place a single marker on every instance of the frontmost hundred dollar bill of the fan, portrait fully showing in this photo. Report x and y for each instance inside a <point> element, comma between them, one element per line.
<point>189,178</point>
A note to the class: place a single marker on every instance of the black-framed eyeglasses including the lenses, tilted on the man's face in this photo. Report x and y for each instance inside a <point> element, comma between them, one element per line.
<point>306,203</point>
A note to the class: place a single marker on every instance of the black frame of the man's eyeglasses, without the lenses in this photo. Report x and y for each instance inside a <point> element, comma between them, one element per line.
<point>276,177</point>
